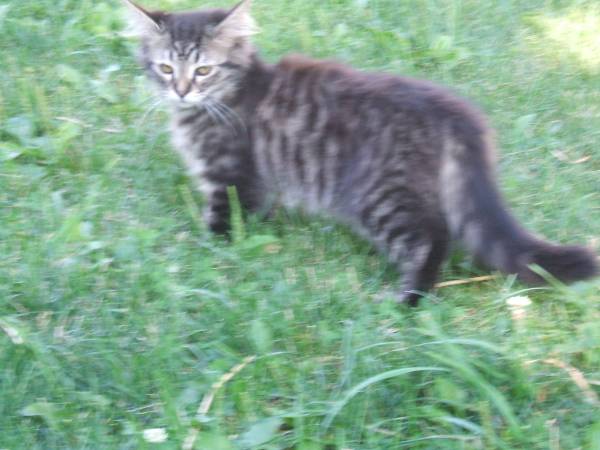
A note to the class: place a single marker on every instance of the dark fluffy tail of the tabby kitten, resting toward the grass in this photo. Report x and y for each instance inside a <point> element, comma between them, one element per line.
<point>477,216</point>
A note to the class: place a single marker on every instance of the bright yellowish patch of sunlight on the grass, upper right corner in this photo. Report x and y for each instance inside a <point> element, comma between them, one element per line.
<point>572,37</point>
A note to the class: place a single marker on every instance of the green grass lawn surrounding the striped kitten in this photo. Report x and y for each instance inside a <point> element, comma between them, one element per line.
<point>119,311</point>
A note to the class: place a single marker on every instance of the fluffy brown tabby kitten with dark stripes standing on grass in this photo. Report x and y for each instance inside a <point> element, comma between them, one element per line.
<point>406,163</point>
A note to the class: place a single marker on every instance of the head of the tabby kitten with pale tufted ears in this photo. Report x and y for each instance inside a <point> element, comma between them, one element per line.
<point>195,56</point>
